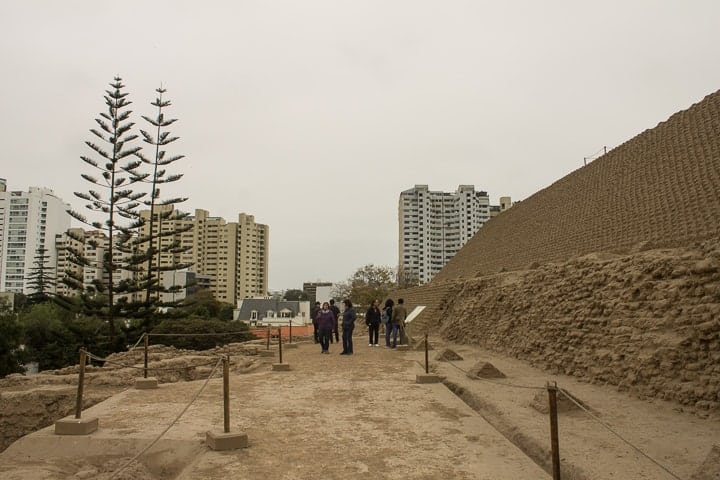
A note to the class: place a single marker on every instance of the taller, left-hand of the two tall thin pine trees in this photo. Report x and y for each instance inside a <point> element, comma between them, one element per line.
<point>110,195</point>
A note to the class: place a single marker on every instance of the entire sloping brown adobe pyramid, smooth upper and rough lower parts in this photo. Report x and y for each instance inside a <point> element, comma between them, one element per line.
<point>611,274</point>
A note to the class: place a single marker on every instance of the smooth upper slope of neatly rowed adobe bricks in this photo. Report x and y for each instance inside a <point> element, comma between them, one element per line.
<point>662,188</point>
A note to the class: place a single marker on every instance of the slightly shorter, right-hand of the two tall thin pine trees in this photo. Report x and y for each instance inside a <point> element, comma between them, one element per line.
<point>162,212</point>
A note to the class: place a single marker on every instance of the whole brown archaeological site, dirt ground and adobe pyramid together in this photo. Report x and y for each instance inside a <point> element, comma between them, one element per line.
<point>602,289</point>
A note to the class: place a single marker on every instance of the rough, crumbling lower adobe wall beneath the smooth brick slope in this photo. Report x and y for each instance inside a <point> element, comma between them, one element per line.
<point>648,323</point>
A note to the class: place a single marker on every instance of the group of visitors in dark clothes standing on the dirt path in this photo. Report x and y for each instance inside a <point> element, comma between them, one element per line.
<point>325,323</point>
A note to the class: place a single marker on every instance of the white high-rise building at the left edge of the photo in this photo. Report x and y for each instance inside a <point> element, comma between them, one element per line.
<point>29,222</point>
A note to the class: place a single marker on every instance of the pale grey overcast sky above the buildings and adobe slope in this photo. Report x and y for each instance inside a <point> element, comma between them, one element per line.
<point>314,115</point>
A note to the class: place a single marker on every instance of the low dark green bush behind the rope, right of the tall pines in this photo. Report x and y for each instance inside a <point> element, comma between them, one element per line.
<point>195,328</point>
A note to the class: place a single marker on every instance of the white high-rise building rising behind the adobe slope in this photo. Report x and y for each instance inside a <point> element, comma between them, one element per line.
<point>434,226</point>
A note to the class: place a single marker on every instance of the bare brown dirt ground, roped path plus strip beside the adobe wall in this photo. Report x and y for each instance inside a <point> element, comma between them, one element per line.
<point>363,416</point>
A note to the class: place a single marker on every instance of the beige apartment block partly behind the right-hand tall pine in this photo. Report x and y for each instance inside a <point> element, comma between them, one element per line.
<point>232,256</point>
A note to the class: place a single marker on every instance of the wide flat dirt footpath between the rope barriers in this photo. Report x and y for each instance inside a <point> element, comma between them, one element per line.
<point>329,417</point>
